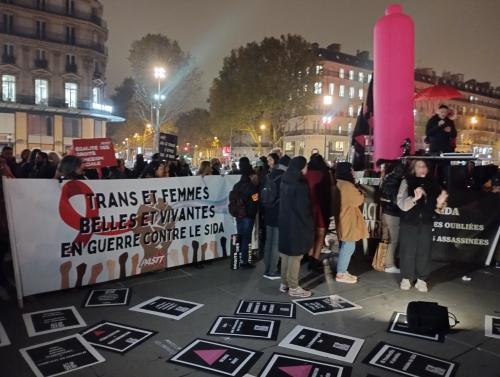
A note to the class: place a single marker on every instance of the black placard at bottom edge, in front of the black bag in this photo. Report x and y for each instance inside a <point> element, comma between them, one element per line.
<point>408,362</point>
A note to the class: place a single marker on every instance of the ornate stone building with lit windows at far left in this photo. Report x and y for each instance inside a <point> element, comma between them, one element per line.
<point>52,67</point>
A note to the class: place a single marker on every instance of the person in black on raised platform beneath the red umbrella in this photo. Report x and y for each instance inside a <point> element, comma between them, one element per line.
<point>441,132</point>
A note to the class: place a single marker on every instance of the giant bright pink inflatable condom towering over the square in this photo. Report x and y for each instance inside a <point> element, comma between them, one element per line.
<point>393,83</point>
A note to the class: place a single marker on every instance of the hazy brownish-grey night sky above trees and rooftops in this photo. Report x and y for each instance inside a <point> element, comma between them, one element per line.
<point>457,35</point>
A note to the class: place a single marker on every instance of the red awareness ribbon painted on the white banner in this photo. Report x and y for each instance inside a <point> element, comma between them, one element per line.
<point>72,218</point>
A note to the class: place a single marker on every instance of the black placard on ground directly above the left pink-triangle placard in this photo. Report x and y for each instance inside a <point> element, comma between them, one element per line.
<point>246,327</point>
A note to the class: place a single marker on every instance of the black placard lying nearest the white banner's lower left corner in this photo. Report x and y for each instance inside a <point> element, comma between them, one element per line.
<point>52,320</point>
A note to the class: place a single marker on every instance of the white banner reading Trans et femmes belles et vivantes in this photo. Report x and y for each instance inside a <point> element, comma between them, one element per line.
<point>77,233</point>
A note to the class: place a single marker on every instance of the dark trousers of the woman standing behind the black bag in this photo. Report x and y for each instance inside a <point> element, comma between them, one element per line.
<point>415,251</point>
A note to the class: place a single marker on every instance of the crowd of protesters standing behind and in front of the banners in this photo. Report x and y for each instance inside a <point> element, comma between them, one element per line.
<point>295,202</point>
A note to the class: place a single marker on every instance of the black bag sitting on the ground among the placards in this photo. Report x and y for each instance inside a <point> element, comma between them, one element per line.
<point>427,318</point>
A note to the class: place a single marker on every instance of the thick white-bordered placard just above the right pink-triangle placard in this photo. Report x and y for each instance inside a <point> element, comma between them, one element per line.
<point>323,343</point>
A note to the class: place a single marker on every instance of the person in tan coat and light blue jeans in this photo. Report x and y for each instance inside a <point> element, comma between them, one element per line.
<point>351,226</point>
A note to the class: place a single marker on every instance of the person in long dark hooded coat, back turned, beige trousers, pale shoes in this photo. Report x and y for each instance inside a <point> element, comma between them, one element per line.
<point>296,225</point>
